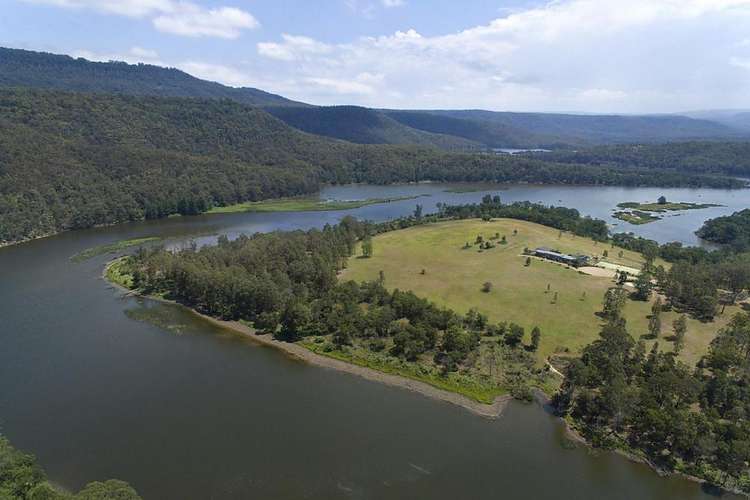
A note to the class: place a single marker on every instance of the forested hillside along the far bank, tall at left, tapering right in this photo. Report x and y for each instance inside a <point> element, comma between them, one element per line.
<point>71,161</point>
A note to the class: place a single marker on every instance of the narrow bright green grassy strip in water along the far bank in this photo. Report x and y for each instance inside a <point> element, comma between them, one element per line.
<point>301,205</point>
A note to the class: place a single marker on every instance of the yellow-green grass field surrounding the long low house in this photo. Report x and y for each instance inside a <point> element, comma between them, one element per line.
<point>453,277</point>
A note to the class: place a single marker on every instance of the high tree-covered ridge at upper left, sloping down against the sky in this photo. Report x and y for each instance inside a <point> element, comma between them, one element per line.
<point>24,68</point>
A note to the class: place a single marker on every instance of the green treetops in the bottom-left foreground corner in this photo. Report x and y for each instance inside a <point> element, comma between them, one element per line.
<point>22,478</point>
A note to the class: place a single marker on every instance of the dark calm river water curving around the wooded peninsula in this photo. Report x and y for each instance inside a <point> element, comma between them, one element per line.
<point>182,409</point>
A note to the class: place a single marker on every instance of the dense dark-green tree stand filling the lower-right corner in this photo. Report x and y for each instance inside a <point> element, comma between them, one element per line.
<point>690,419</point>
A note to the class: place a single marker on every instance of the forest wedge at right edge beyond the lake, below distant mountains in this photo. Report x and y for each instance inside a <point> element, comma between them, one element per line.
<point>700,157</point>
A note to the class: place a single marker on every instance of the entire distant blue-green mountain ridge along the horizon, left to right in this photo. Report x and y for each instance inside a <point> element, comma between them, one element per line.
<point>444,129</point>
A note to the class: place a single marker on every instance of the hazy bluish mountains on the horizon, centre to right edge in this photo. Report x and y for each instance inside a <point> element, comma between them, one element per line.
<point>488,129</point>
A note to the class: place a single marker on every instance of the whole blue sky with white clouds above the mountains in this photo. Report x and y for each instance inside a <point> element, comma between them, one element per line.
<point>596,56</point>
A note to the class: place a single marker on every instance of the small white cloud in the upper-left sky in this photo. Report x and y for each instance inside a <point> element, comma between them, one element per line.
<point>177,17</point>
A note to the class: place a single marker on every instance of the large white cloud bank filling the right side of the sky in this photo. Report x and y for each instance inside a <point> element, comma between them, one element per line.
<point>589,55</point>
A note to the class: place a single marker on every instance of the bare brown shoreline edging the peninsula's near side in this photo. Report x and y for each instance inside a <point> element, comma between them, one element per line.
<point>301,353</point>
